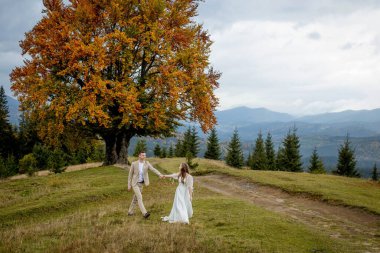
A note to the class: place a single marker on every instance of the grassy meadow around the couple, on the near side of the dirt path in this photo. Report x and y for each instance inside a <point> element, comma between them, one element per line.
<point>86,211</point>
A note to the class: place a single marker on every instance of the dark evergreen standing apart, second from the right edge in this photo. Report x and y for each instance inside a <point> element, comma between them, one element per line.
<point>346,160</point>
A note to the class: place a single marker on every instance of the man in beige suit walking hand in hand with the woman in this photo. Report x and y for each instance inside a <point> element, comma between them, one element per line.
<point>138,176</point>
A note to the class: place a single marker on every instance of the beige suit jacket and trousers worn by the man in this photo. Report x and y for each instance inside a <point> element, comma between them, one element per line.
<point>137,187</point>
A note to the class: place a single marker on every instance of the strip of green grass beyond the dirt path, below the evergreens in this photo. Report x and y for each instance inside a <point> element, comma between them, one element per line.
<point>354,192</point>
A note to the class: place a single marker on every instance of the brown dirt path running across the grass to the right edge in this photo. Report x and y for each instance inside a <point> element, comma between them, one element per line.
<point>341,222</point>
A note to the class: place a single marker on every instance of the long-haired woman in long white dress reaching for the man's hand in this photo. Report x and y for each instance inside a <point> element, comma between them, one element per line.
<point>182,209</point>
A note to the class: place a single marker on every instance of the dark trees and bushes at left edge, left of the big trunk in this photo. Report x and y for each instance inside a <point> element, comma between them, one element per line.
<point>22,151</point>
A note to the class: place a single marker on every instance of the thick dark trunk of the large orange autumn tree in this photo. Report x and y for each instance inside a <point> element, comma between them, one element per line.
<point>117,148</point>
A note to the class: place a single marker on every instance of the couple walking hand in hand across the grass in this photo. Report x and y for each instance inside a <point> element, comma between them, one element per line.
<point>182,208</point>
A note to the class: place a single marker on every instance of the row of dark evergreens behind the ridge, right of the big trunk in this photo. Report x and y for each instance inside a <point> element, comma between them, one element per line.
<point>262,156</point>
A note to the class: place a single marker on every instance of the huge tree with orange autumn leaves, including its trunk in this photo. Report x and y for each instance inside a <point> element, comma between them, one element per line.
<point>119,68</point>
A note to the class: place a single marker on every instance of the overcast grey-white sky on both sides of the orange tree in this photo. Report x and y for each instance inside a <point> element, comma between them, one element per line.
<point>294,56</point>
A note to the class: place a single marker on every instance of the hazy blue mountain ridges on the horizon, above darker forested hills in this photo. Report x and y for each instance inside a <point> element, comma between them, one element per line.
<point>250,121</point>
